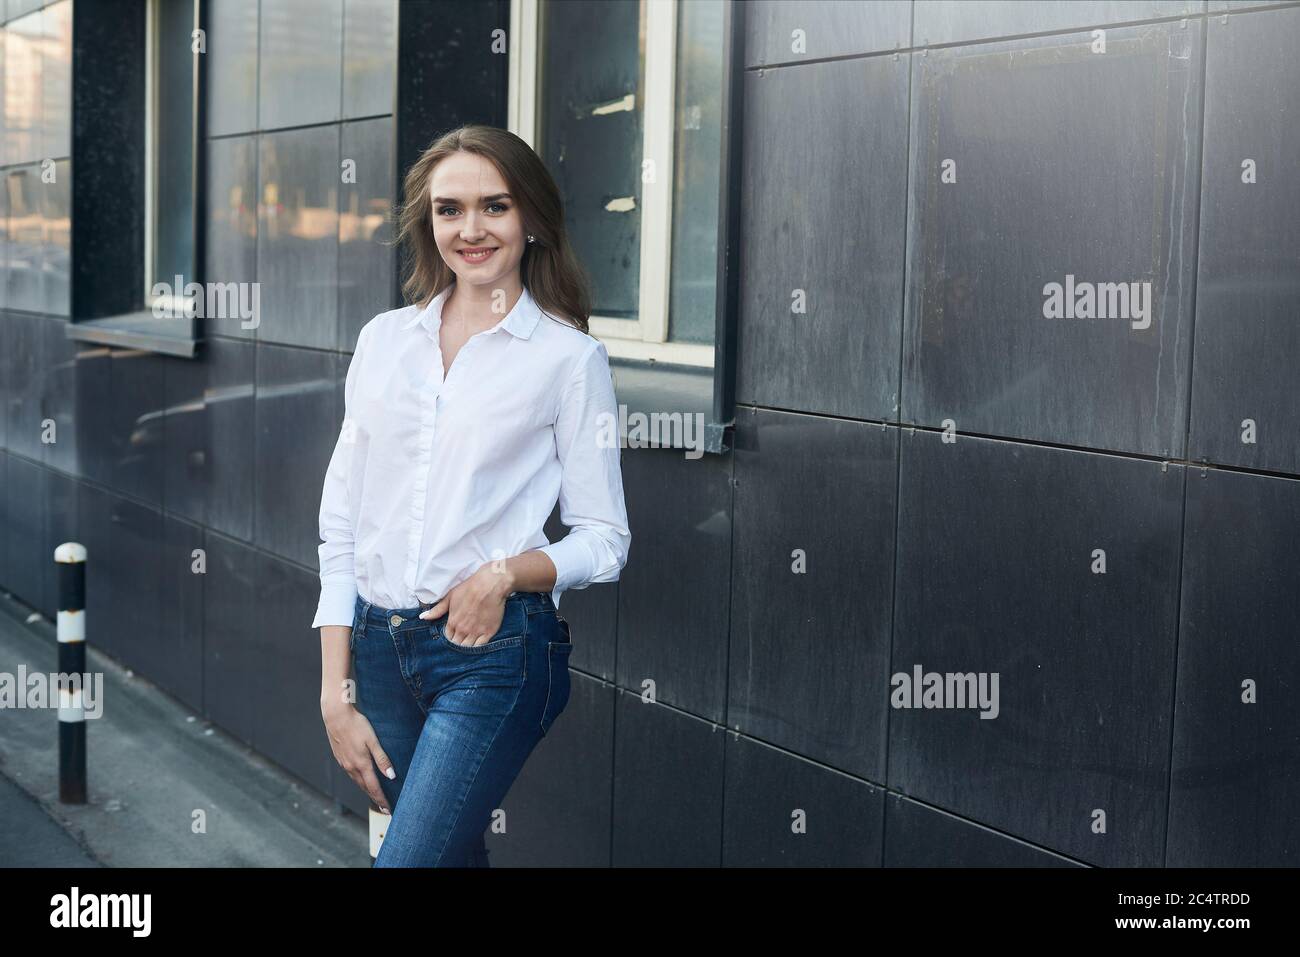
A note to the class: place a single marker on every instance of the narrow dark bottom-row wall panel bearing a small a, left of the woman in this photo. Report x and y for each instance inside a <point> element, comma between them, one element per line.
<point>179,664</point>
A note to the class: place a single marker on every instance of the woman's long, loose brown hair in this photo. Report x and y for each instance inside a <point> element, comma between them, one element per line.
<point>549,270</point>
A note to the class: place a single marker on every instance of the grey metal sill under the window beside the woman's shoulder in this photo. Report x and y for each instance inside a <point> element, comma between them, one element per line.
<point>660,389</point>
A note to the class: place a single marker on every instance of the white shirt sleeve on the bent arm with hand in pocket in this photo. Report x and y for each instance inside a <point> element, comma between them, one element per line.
<point>592,505</point>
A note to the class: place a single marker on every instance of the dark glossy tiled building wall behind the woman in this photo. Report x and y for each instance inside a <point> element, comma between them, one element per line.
<point>934,464</point>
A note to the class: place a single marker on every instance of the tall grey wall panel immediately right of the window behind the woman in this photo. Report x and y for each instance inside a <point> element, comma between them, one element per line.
<point>822,267</point>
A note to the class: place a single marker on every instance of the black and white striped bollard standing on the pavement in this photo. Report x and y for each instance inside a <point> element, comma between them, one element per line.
<point>71,562</point>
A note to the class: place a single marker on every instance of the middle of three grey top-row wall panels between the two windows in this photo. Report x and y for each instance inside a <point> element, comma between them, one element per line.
<point>300,63</point>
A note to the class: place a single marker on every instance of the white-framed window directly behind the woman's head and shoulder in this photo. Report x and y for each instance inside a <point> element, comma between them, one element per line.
<point>623,101</point>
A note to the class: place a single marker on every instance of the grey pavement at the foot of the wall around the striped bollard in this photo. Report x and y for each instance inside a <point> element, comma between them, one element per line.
<point>151,764</point>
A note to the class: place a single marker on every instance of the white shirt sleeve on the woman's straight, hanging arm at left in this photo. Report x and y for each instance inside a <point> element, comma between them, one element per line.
<point>339,579</point>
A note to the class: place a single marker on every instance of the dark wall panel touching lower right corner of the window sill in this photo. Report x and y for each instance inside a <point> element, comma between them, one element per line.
<point>812,586</point>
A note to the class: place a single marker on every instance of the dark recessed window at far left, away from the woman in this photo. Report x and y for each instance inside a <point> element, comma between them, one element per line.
<point>137,86</point>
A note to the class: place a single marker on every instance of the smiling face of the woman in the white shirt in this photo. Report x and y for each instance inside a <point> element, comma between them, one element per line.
<point>473,214</point>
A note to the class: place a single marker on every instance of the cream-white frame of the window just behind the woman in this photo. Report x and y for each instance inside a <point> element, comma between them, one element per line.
<point>647,336</point>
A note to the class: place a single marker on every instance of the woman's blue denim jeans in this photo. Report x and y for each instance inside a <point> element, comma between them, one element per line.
<point>457,722</point>
